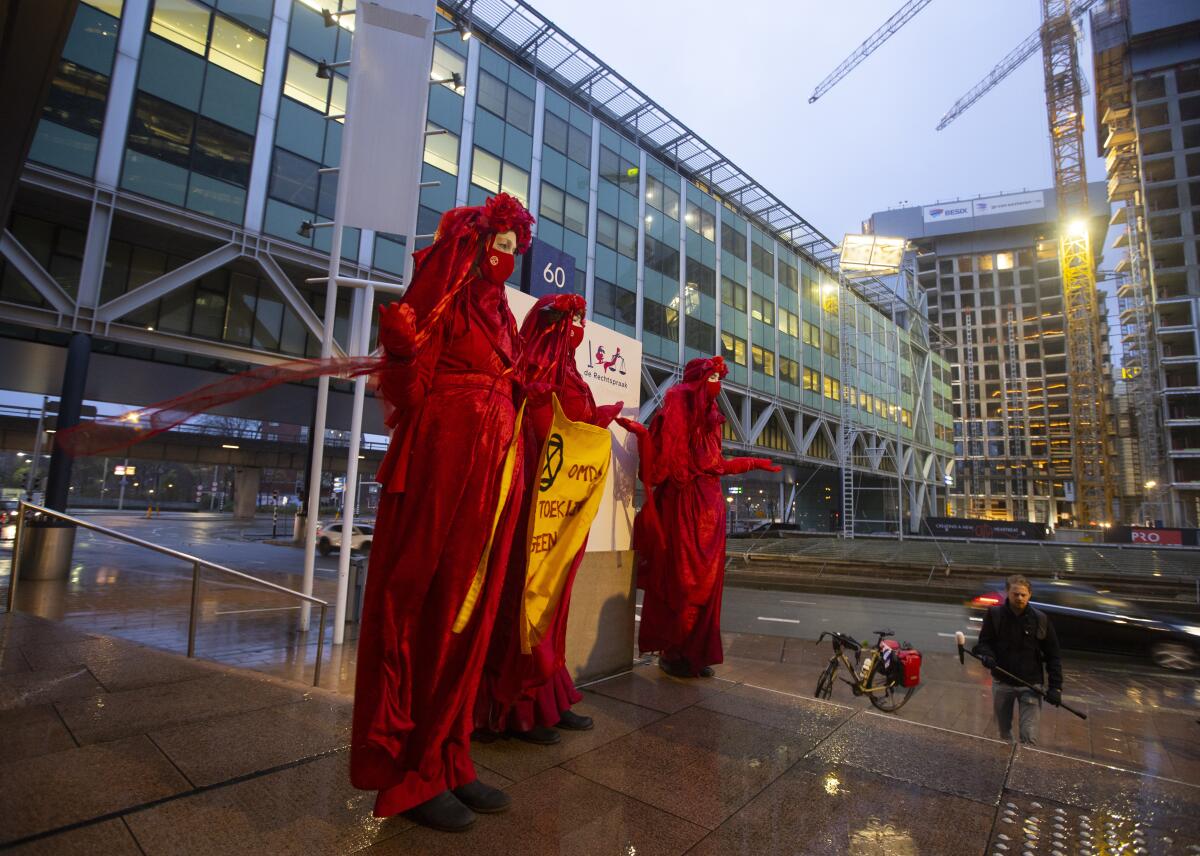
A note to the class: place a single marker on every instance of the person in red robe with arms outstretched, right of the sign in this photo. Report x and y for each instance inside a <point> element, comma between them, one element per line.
<point>680,532</point>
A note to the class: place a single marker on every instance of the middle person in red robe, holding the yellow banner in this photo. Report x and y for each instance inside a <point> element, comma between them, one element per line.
<point>526,696</point>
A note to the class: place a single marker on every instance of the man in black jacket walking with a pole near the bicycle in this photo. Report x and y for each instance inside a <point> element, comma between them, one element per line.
<point>1021,640</point>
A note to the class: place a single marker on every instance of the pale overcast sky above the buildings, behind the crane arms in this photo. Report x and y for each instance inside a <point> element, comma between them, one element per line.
<point>740,75</point>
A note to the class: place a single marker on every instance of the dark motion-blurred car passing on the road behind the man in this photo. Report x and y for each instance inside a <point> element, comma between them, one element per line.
<point>1089,620</point>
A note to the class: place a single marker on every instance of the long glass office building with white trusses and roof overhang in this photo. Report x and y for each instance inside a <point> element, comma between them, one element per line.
<point>182,149</point>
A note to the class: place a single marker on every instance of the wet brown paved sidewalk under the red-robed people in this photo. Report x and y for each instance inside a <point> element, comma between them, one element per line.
<point>110,747</point>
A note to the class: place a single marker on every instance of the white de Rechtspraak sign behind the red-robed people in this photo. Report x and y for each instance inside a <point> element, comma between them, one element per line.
<point>611,364</point>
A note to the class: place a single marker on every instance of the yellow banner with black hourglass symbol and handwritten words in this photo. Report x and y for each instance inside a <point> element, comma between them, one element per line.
<point>571,484</point>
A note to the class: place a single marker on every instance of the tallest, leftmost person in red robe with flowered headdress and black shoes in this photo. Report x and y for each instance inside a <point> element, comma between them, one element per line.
<point>445,523</point>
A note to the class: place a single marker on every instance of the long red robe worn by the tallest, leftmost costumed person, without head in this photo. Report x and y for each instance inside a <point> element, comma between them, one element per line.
<point>417,679</point>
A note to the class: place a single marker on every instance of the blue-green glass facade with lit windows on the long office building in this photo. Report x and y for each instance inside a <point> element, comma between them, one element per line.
<point>663,256</point>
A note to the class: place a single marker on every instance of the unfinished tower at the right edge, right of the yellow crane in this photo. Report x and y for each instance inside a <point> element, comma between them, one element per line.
<point>1147,56</point>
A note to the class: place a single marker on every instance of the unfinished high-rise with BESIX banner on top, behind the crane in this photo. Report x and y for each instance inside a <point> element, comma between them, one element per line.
<point>991,273</point>
